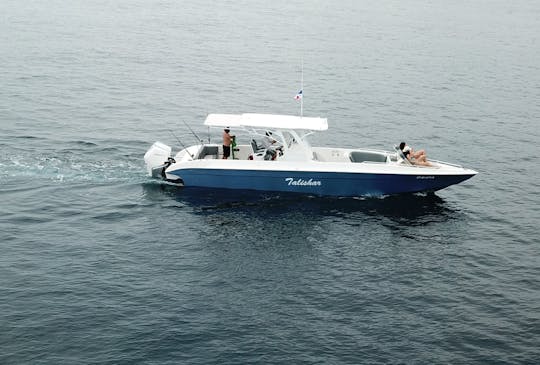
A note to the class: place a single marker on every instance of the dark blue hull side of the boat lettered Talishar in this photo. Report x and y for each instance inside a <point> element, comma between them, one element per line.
<point>317,183</point>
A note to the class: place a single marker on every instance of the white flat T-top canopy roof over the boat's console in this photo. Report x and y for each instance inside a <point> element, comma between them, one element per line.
<point>270,121</point>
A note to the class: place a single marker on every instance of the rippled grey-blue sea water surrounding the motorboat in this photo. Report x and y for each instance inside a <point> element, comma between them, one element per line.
<point>100,264</point>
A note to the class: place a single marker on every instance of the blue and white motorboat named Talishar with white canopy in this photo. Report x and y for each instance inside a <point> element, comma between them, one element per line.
<point>292,165</point>
